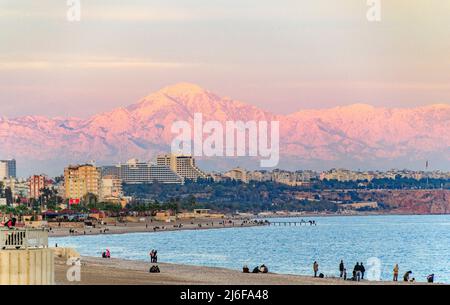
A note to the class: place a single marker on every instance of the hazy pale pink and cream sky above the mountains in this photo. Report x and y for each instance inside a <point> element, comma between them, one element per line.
<point>281,55</point>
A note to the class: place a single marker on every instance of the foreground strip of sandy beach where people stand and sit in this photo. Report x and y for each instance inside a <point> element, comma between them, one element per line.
<point>98,271</point>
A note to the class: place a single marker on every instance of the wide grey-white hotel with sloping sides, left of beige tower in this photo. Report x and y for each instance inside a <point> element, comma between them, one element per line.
<point>136,172</point>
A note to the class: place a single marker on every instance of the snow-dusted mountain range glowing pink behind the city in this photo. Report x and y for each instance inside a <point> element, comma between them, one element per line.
<point>354,136</point>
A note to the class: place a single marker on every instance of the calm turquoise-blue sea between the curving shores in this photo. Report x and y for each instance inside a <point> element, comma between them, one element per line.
<point>417,243</point>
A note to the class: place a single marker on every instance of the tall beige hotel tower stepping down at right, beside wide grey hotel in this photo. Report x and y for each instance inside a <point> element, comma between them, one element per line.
<point>184,166</point>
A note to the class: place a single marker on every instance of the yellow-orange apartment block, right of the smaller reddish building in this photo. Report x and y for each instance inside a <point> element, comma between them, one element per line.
<point>80,180</point>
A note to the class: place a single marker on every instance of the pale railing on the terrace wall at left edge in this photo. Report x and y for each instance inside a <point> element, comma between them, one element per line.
<point>22,239</point>
